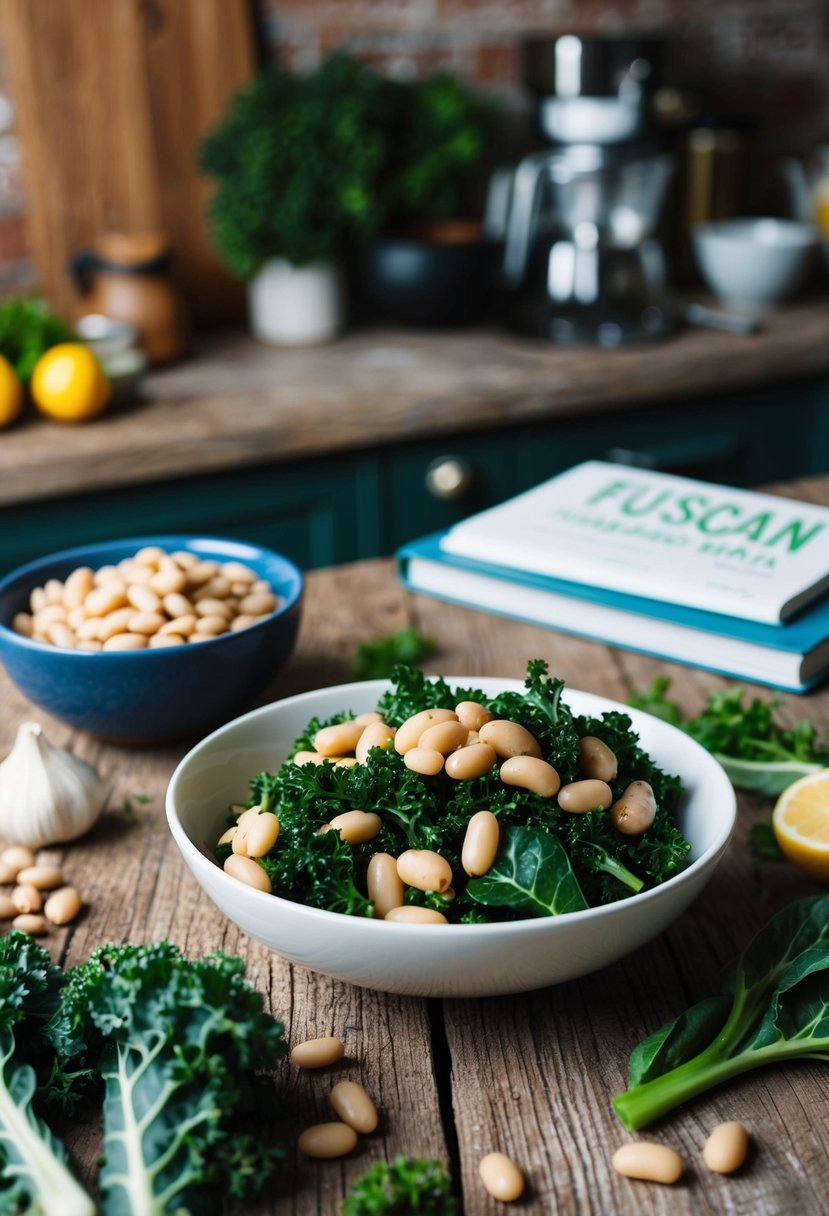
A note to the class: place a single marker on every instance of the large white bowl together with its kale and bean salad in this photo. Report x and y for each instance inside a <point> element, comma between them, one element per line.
<point>452,836</point>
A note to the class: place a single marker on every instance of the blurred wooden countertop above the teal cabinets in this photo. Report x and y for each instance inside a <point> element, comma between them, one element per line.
<point>240,403</point>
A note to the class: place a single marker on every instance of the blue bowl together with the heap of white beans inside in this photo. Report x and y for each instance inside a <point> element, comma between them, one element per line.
<point>150,639</point>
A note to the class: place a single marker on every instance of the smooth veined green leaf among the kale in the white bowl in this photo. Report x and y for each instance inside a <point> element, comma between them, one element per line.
<point>532,871</point>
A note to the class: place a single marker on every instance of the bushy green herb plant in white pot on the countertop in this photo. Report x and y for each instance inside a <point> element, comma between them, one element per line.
<point>298,161</point>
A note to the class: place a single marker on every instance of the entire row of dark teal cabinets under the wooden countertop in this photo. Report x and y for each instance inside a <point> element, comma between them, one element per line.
<point>356,504</point>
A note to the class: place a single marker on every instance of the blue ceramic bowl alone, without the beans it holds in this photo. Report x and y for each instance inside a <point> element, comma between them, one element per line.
<point>160,695</point>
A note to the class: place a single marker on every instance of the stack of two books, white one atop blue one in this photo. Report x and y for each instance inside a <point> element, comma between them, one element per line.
<point>725,579</point>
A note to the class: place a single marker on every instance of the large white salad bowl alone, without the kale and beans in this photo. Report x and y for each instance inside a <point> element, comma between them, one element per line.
<point>437,960</point>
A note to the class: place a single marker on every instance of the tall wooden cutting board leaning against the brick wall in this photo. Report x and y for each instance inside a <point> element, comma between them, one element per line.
<point>111,102</point>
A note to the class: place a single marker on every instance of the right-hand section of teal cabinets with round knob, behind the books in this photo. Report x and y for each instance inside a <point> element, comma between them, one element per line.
<point>743,440</point>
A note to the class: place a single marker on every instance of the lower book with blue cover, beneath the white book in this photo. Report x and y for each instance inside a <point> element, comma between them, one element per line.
<point>793,656</point>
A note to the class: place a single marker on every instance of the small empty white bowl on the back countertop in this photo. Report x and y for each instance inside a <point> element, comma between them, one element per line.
<point>754,264</point>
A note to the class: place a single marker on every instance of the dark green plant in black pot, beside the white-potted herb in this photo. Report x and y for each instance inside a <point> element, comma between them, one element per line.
<point>432,263</point>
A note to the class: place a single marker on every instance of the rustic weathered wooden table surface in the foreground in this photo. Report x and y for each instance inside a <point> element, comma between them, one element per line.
<point>532,1076</point>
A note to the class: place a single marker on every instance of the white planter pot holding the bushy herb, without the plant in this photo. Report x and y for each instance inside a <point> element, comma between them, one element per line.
<point>296,306</point>
